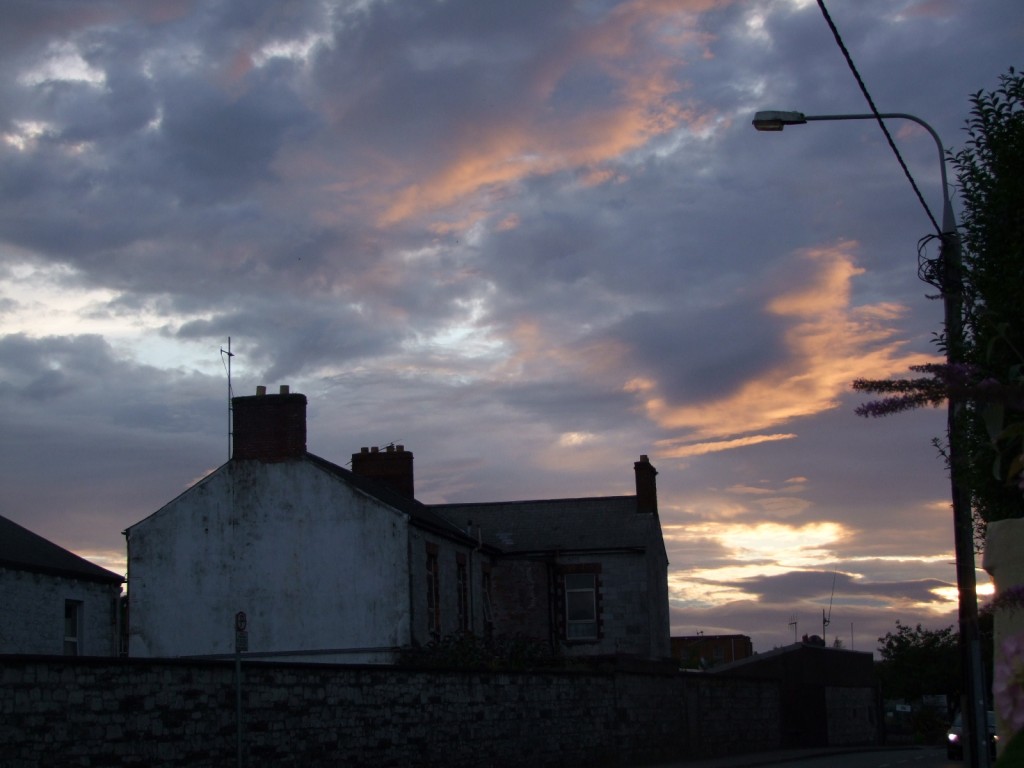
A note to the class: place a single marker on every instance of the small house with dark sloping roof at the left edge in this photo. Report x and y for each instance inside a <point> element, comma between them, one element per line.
<point>53,602</point>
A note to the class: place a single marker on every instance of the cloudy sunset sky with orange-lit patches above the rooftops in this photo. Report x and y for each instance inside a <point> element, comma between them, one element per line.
<point>529,241</point>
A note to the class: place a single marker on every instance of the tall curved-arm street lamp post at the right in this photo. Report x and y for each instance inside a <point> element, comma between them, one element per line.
<point>975,701</point>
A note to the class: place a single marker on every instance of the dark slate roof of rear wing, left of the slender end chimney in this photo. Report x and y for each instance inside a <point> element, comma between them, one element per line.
<point>599,524</point>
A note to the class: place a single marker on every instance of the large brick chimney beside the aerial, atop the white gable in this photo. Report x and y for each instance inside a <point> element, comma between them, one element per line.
<point>270,428</point>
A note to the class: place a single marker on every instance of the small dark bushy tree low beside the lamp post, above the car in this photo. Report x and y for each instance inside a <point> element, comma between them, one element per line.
<point>917,662</point>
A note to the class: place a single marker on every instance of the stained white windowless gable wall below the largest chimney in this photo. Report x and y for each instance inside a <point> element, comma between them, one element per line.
<point>316,566</point>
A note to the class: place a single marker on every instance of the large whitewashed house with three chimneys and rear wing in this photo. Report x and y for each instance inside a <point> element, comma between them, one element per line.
<point>346,566</point>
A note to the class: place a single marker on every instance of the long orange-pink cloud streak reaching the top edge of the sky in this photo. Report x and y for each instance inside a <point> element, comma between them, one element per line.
<point>637,48</point>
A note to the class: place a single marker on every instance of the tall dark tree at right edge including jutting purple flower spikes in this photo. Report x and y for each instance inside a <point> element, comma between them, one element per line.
<point>991,380</point>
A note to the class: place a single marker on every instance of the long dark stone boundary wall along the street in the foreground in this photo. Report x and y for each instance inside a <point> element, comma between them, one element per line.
<point>57,712</point>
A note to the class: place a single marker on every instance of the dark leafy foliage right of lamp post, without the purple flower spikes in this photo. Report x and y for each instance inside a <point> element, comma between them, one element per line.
<point>991,172</point>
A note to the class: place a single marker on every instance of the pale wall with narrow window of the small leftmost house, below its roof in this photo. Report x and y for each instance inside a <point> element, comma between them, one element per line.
<point>32,614</point>
